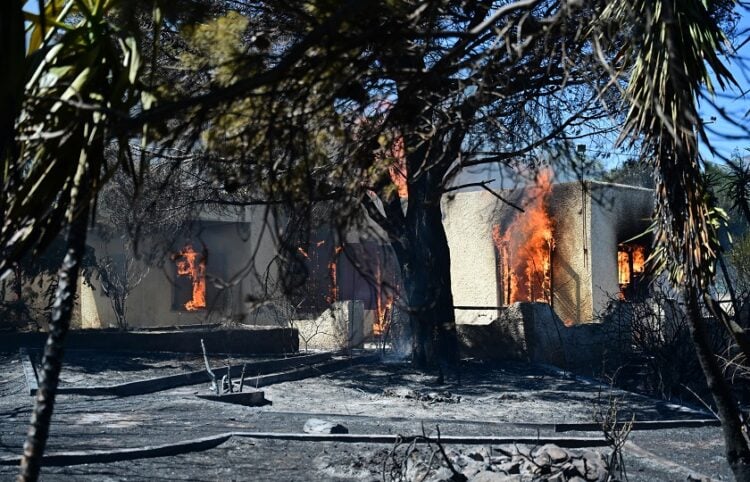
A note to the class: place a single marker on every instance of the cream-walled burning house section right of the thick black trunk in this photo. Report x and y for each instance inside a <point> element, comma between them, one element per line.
<point>525,277</point>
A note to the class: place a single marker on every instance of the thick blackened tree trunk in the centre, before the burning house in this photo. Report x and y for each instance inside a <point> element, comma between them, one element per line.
<point>418,236</point>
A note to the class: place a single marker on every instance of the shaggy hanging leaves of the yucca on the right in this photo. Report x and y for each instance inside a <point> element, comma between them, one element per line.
<point>676,53</point>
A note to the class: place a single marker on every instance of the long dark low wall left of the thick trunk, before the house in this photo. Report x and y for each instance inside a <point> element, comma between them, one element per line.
<point>246,341</point>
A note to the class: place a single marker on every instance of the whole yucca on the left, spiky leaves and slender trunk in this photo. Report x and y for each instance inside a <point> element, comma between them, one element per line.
<point>81,74</point>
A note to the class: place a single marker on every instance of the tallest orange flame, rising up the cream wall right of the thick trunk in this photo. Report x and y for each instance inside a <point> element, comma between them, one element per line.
<point>524,249</point>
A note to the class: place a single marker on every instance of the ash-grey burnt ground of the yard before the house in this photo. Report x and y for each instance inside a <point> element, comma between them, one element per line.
<point>508,399</point>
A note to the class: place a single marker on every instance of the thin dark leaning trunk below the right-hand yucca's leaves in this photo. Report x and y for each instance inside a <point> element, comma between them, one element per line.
<point>738,453</point>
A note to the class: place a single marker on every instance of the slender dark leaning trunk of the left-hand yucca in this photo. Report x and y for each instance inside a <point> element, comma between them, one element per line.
<point>62,309</point>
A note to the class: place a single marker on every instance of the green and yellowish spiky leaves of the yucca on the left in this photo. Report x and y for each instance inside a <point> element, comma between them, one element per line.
<point>84,73</point>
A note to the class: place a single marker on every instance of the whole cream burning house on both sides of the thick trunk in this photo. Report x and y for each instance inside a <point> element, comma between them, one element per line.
<point>530,262</point>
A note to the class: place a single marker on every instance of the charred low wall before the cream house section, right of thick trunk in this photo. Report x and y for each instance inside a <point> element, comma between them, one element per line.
<point>532,332</point>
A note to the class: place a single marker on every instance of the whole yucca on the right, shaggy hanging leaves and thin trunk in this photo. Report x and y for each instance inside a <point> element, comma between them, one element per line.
<point>676,50</point>
